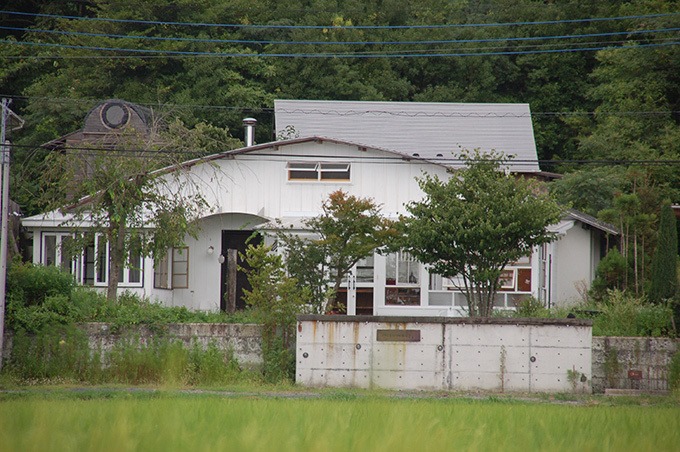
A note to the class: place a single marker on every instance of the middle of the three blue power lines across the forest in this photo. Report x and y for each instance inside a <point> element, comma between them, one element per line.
<point>245,41</point>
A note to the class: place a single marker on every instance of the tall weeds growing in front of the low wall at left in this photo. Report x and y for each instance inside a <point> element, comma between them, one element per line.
<point>62,355</point>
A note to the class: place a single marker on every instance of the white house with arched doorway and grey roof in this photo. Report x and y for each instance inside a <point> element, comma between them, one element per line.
<point>289,179</point>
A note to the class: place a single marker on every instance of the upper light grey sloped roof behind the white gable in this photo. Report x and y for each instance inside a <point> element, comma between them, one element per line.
<point>434,131</point>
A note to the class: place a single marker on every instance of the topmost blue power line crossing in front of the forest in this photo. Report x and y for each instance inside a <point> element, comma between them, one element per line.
<point>344,27</point>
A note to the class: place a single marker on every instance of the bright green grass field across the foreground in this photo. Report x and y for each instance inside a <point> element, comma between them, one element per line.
<point>166,422</point>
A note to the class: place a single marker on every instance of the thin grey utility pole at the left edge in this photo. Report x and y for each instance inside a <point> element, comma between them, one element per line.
<point>4,213</point>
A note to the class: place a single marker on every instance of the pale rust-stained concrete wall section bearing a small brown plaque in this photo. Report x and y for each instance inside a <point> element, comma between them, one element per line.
<point>527,355</point>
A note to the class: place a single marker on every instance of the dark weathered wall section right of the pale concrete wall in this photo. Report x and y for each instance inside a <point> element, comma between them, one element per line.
<point>632,363</point>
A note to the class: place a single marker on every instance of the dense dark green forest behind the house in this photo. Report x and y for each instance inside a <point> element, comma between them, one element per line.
<point>602,78</point>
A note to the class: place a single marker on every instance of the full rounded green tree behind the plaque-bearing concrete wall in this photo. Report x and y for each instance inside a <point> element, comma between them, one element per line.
<point>475,223</point>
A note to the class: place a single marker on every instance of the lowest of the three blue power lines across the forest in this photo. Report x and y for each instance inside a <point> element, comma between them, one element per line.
<point>339,55</point>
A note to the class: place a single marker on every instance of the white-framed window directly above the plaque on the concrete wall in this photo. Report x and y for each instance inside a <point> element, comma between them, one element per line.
<point>402,280</point>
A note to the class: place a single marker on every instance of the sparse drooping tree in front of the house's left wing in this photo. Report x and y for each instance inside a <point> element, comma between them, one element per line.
<point>130,192</point>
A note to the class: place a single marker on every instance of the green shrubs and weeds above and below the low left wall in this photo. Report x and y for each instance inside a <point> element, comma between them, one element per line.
<point>44,310</point>
